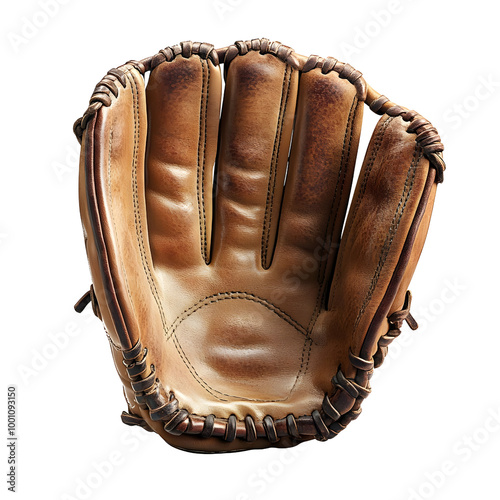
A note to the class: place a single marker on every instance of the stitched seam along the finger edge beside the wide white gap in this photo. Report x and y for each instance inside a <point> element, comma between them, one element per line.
<point>342,171</point>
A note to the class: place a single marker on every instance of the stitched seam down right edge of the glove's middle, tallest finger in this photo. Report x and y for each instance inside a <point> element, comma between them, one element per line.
<point>268,214</point>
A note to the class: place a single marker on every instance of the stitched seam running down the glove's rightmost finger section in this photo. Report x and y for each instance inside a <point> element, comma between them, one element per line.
<point>396,220</point>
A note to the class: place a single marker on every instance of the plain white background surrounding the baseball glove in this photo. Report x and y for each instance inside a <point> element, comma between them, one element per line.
<point>435,405</point>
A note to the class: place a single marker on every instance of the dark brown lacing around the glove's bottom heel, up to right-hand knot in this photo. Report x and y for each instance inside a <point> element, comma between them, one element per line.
<point>336,412</point>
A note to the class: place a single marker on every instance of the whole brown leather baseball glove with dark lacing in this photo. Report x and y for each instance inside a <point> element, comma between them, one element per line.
<point>243,308</point>
